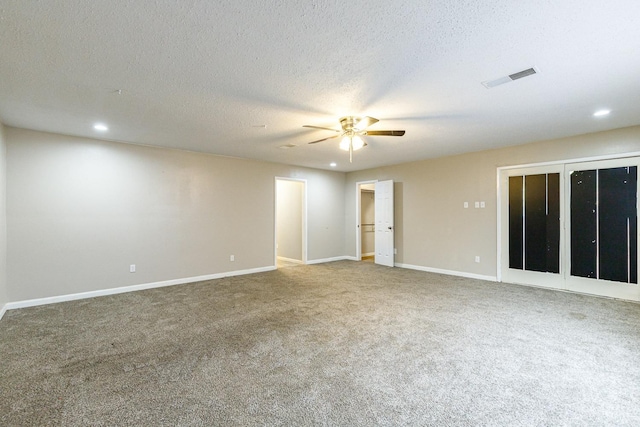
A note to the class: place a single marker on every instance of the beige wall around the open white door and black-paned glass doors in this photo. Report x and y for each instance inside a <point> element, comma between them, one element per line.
<point>433,230</point>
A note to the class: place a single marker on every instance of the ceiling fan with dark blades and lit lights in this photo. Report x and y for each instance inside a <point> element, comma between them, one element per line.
<point>353,129</point>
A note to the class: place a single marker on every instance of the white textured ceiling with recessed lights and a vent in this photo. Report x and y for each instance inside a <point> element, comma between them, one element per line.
<point>206,75</point>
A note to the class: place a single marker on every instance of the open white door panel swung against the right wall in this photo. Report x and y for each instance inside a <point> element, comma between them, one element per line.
<point>384,223</point>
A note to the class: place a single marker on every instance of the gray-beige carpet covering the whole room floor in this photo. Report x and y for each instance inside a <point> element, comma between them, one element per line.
<point>343,343</point>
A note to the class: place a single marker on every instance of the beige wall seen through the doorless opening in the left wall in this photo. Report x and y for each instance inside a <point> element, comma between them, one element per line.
<point>290,218</point>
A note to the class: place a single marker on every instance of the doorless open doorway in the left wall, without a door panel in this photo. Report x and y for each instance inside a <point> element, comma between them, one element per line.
<point>290,225</point>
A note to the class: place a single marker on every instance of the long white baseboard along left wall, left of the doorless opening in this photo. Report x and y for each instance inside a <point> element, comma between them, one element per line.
<point>132,288</point>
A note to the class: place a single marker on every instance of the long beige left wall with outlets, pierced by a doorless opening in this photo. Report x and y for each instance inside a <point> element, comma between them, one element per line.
<point>81,211</point>
